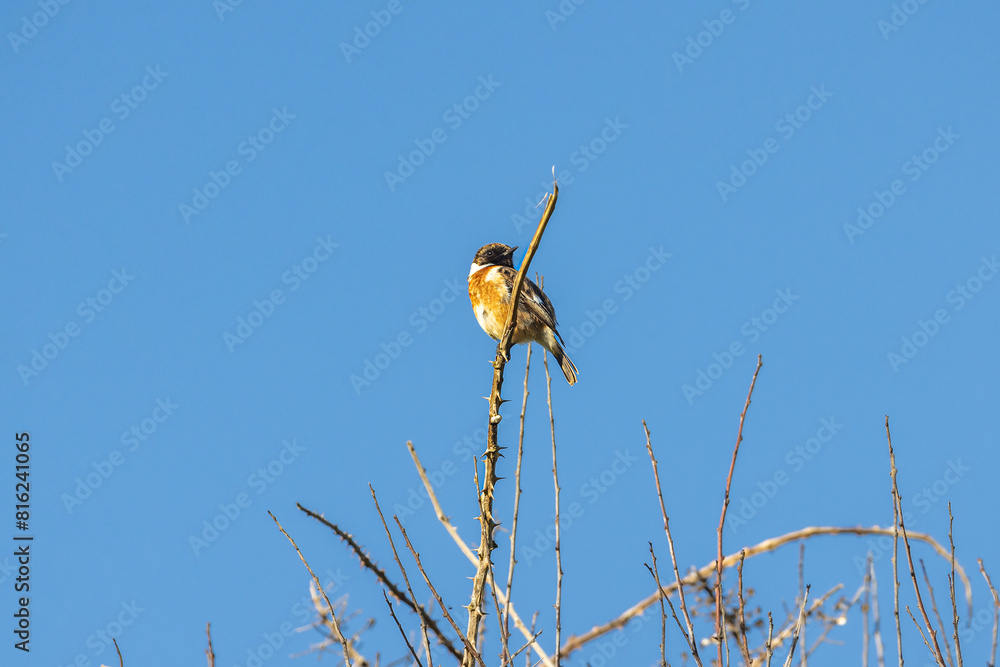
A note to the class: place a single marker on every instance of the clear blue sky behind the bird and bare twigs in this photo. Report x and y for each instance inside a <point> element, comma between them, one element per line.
<point>218,216</point>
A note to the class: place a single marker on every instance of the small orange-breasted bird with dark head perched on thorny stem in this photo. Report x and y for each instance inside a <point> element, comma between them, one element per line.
<point>491,282</point>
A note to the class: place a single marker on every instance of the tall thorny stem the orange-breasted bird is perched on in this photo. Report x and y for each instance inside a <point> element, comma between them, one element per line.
<point>487,522</point>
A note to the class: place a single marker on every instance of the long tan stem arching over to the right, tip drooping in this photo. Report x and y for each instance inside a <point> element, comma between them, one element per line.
<point>574,643</point>
